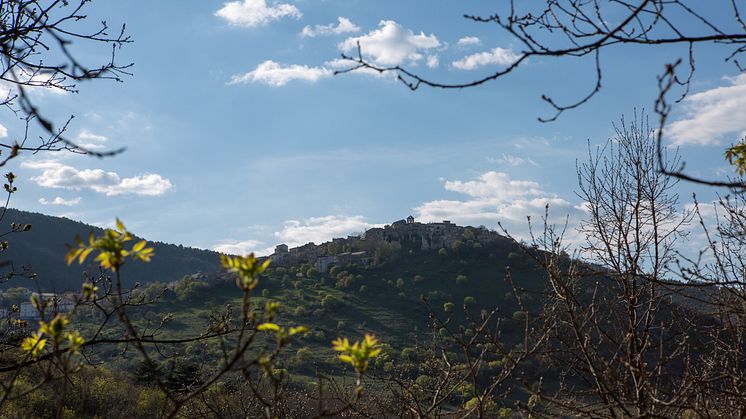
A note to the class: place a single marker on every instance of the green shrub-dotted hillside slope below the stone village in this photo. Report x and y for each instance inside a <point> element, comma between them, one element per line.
<point>396,300</point>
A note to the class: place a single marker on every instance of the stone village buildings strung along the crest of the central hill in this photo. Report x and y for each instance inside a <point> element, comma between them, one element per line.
<point>373,245</point>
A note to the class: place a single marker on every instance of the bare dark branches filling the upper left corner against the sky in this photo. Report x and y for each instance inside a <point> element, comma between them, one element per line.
<point>36,52</point>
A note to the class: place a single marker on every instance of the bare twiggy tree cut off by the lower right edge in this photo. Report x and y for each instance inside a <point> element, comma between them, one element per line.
<point>715,276</point>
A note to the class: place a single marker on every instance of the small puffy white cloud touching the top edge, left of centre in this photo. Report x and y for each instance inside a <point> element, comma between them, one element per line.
<point>252,13</point>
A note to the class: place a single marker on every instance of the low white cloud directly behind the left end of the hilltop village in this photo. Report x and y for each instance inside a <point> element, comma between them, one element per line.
<point>321,229</point>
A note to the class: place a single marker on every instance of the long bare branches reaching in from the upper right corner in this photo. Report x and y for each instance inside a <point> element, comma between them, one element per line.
<point>556,29</point>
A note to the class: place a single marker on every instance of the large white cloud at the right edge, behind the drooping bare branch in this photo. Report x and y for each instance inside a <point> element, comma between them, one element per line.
<point>711,115</point>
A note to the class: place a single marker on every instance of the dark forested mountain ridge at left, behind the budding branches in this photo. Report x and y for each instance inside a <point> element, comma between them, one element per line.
<point>42,249</point>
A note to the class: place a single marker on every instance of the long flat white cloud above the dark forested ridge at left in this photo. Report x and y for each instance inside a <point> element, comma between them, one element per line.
<point>57,175</point>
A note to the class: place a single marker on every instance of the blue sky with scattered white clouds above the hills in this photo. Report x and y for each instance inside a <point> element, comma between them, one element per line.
<point>239,136</point>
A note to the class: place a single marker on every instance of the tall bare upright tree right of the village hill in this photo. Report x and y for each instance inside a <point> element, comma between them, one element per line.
<point>618,342</point>
